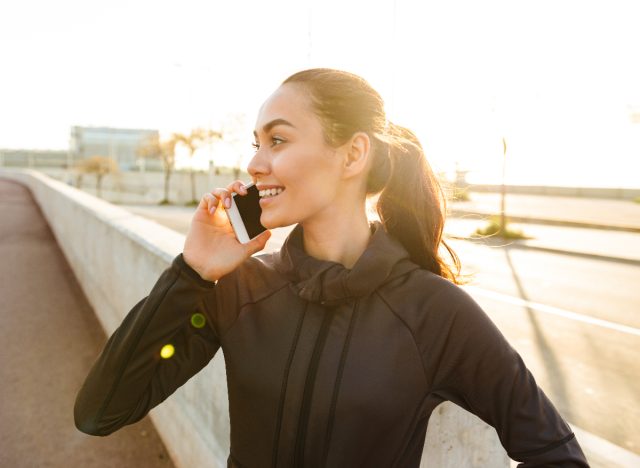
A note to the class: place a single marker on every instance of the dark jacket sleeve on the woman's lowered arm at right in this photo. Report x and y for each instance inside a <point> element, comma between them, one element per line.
<point>476,368</point>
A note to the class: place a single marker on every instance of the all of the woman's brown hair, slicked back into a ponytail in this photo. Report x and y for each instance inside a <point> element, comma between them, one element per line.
<point>412,204</point>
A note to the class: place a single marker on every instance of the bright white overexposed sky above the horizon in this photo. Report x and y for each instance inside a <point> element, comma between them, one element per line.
<point>559,79</point>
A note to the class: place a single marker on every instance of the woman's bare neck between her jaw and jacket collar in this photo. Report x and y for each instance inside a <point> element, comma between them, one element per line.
<point>337,238</point>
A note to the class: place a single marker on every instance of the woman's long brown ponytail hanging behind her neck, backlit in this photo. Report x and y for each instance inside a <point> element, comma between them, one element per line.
<point>412,204</point>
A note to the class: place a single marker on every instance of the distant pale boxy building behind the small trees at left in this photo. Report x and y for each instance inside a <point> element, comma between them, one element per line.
<point>120,144</point>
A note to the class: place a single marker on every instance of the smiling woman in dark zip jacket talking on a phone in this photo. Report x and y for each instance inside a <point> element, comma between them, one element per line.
<point>338,347</point>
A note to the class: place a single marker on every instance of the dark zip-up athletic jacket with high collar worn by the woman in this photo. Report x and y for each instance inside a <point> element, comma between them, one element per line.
<point>326,366</point>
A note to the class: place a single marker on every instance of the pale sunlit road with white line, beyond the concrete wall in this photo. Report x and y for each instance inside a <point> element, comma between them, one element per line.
<point>572,319</point>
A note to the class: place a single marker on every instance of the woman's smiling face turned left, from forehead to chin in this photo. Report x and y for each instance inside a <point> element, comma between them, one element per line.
<point>297,172</point>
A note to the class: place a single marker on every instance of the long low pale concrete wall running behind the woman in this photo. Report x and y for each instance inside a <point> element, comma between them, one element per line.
<point>117,257</point>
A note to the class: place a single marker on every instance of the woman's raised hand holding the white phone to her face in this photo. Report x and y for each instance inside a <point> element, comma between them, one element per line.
<point>211,247</point>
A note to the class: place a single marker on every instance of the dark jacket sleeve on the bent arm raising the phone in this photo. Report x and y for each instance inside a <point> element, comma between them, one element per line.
<point>131,375</point>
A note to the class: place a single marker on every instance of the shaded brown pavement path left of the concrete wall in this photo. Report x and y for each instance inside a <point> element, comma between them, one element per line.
<point>50,337</point>
